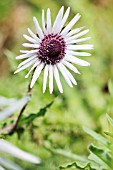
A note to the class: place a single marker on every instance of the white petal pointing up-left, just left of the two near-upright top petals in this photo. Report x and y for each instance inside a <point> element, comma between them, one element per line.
<point>38,29</point>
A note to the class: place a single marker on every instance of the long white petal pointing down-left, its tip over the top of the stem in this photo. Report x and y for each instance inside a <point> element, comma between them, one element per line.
<point>36,74</point>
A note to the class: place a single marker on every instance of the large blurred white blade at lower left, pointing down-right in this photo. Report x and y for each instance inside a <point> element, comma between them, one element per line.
<point>16,152</point>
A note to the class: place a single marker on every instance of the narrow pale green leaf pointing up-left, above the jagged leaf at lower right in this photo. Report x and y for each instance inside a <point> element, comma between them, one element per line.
<point>97,136</point>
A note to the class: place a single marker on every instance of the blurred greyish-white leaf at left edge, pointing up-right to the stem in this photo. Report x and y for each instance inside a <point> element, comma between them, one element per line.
<point>14,107</point>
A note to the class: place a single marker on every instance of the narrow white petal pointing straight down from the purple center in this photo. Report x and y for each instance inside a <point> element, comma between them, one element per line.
<point>50,79</point>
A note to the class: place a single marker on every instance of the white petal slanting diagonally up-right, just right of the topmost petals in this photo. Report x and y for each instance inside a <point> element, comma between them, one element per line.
<point>70,25</point>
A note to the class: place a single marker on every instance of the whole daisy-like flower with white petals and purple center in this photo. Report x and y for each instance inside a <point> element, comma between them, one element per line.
<point>53,48</point>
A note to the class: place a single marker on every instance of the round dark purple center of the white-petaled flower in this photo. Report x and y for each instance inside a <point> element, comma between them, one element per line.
<point>52,49</point>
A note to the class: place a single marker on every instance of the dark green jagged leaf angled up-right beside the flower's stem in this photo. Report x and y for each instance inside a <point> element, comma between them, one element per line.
<point>27,120</point>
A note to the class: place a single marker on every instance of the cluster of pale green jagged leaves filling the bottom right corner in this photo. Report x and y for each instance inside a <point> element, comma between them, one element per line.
<point>100,157</point>
